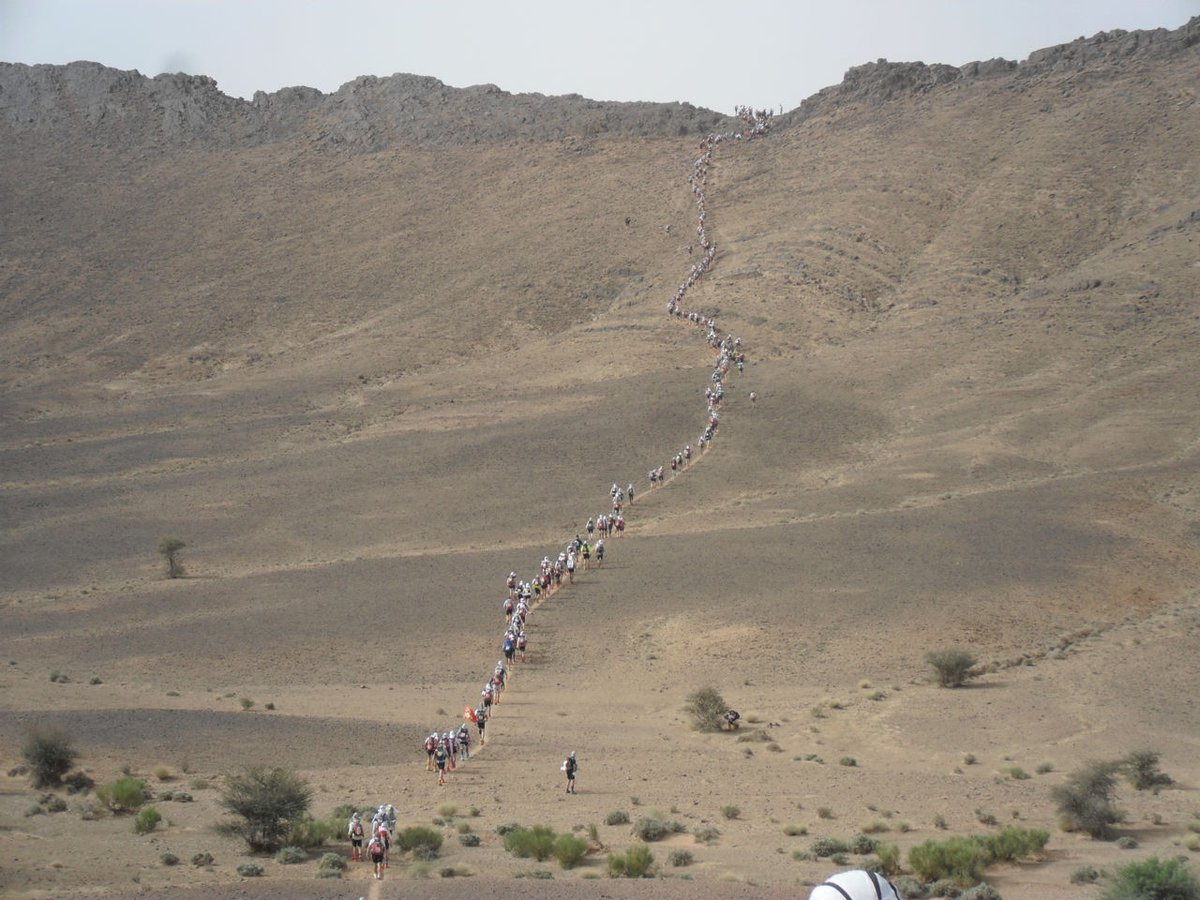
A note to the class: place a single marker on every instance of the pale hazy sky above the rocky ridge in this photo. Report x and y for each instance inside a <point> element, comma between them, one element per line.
<point>713,55</point>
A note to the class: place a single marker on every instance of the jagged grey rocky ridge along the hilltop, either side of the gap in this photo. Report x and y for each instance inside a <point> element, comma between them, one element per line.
<point>118,107</point>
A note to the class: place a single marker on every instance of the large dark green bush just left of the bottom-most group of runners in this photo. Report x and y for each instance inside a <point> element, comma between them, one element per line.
<point>269,802</point>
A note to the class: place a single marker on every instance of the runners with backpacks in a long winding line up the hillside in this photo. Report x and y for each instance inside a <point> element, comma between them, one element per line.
<point>446,749</point>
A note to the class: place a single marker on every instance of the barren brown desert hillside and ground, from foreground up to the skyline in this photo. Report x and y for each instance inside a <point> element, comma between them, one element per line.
<point>369,352</point>
